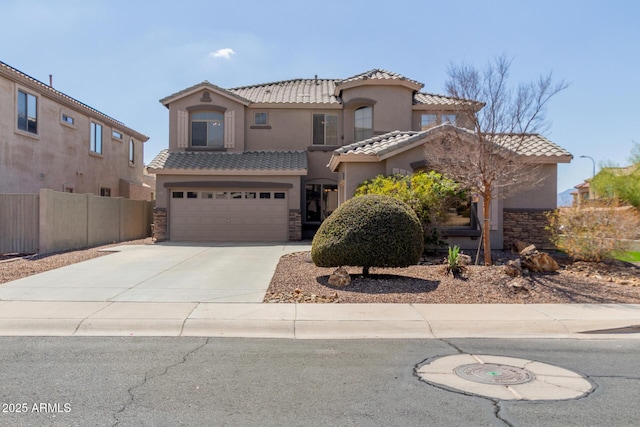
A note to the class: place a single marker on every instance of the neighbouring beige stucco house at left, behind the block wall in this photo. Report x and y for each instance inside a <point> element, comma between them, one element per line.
<point>49,140</point>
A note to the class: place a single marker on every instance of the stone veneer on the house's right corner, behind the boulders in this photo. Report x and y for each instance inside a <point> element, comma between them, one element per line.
<point>527,225</point>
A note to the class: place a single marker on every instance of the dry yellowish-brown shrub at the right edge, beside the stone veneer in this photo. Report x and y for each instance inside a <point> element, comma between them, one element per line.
<point>594,233</point>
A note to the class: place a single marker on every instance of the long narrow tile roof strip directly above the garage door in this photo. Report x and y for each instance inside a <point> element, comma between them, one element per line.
<point>214,160</point>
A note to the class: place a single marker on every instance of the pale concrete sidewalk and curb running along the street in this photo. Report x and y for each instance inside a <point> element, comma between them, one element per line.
<point>318,321</point>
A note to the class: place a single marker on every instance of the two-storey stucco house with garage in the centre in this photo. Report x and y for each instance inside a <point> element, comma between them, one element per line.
<point>271,161</point>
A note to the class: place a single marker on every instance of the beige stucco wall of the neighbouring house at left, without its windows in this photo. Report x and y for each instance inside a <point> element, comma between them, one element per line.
<point>58,157</point>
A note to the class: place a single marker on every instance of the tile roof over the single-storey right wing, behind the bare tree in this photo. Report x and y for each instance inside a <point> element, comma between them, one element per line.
<point>530,145</point>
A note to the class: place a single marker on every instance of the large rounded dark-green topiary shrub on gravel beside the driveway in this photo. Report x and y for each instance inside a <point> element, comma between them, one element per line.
<point>369,231</point>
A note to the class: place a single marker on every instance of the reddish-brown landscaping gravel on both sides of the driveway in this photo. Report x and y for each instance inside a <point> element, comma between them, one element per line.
<point>296,279</point>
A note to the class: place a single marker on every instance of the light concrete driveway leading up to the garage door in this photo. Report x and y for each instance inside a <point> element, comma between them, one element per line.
<point>165,272</point>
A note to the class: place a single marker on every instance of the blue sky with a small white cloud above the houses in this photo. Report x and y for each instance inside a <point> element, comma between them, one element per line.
<point>122,57</point>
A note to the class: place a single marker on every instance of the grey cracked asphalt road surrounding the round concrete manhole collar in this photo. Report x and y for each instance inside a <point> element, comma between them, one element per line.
<point>266,382</point>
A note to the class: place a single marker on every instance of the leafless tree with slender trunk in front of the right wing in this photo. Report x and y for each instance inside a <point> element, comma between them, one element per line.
<point>487,157</point>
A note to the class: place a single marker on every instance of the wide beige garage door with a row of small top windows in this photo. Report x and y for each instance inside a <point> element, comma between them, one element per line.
<point>243,215</point>
